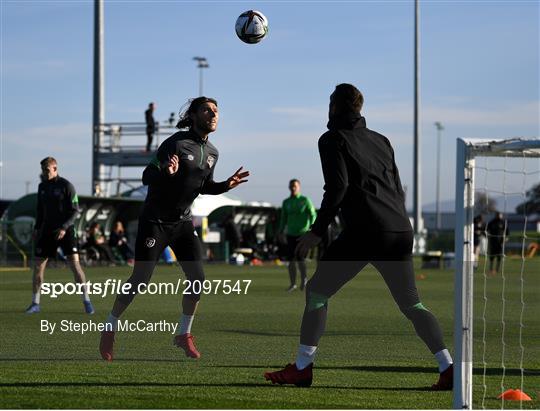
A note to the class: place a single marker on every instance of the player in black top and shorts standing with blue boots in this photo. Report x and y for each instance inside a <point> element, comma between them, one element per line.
<point>57,209</point>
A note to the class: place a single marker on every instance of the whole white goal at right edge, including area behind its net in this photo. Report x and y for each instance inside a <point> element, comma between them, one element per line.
<point>497,287</point>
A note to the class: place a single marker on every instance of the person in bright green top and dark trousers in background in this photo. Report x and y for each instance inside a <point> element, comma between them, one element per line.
<point>297,216</point>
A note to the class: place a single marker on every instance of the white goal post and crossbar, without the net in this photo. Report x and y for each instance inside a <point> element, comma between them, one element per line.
<point>467,151</point>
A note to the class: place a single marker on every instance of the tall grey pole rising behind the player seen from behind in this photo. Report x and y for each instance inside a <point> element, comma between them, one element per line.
<point>417,203</point>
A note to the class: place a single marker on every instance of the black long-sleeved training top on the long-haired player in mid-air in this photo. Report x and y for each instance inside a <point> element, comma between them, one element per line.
<point>169,198</point>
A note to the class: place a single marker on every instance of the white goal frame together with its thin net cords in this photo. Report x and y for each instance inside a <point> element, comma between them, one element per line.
<point>468,151</point>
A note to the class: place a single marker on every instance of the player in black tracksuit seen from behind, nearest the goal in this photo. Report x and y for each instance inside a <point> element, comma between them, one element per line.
<point>362,181</point>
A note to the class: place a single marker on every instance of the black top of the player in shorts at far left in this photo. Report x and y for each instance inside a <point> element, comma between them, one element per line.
<point>57,205</point>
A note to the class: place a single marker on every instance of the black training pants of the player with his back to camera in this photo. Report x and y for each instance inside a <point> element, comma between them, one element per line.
<point>391,254</point>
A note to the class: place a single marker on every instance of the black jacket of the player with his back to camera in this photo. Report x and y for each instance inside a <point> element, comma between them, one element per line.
<point>361,180</point>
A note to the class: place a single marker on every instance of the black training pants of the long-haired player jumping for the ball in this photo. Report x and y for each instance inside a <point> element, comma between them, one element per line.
<point>152,238</point>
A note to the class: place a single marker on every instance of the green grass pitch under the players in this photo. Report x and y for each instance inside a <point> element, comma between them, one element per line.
<point>368,358</point>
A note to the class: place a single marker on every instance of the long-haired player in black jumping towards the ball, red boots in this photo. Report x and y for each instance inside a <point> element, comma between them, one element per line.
<point>182,169</point>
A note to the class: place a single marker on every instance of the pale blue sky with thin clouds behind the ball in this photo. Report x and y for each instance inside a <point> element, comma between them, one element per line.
<point>479,67</point>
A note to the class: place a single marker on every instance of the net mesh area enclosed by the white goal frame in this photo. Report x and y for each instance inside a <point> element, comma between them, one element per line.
<point>504,267</point>
